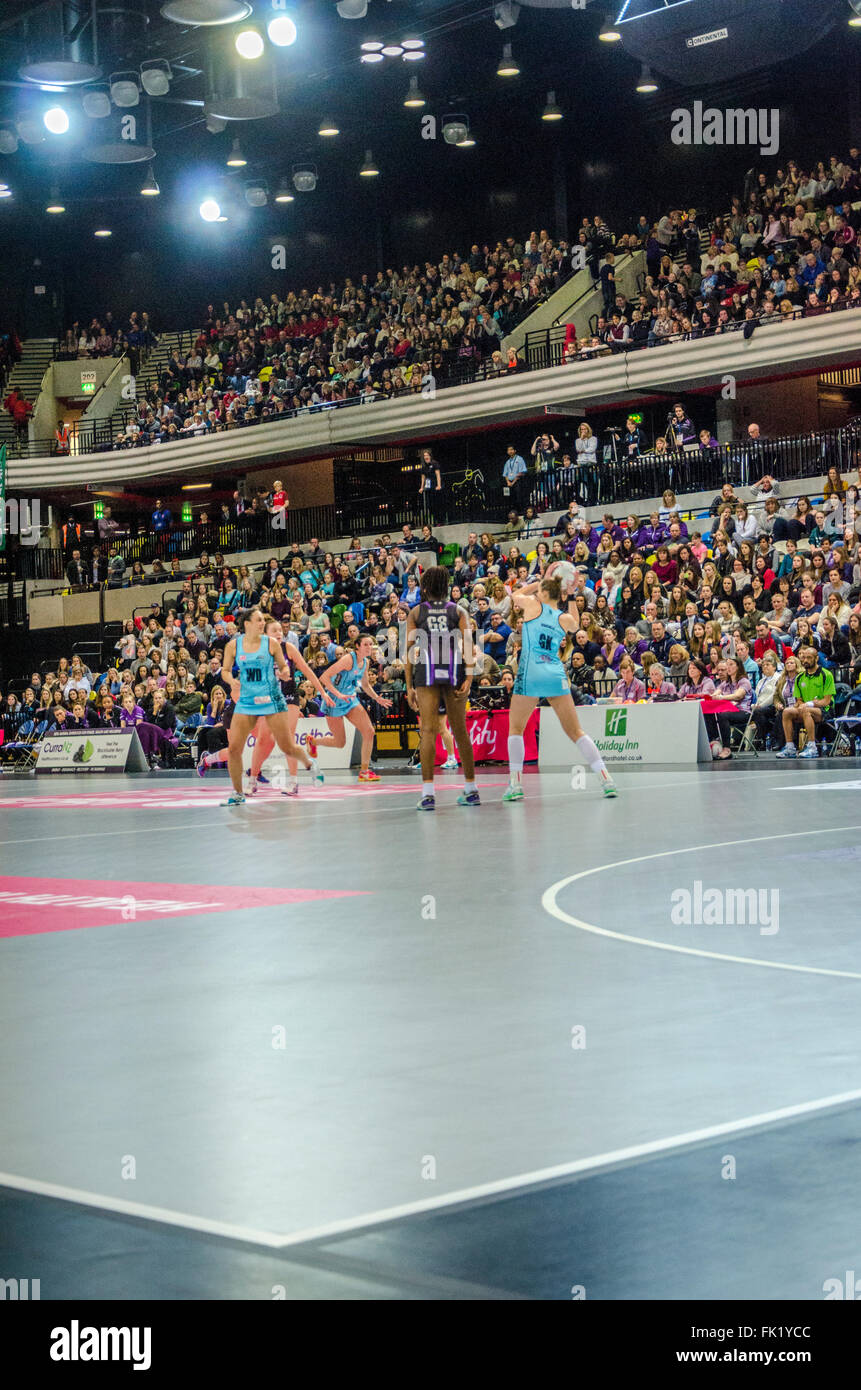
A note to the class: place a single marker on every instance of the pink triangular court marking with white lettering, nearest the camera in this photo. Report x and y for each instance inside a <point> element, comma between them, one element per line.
<point>30,907</point>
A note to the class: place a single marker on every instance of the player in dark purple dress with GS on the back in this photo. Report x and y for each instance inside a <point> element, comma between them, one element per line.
<point>439,671</point>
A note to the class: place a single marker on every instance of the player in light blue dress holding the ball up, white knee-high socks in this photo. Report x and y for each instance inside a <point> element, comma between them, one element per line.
<point>542,676</point>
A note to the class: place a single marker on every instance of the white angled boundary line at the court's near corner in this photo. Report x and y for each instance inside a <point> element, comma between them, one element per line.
<point>428,1204</point>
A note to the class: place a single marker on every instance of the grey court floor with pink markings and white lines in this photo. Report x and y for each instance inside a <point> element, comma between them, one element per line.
<point>332,1049</point>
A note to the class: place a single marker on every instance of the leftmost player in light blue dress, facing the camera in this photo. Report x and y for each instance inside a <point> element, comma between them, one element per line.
<point>259,662</point>
